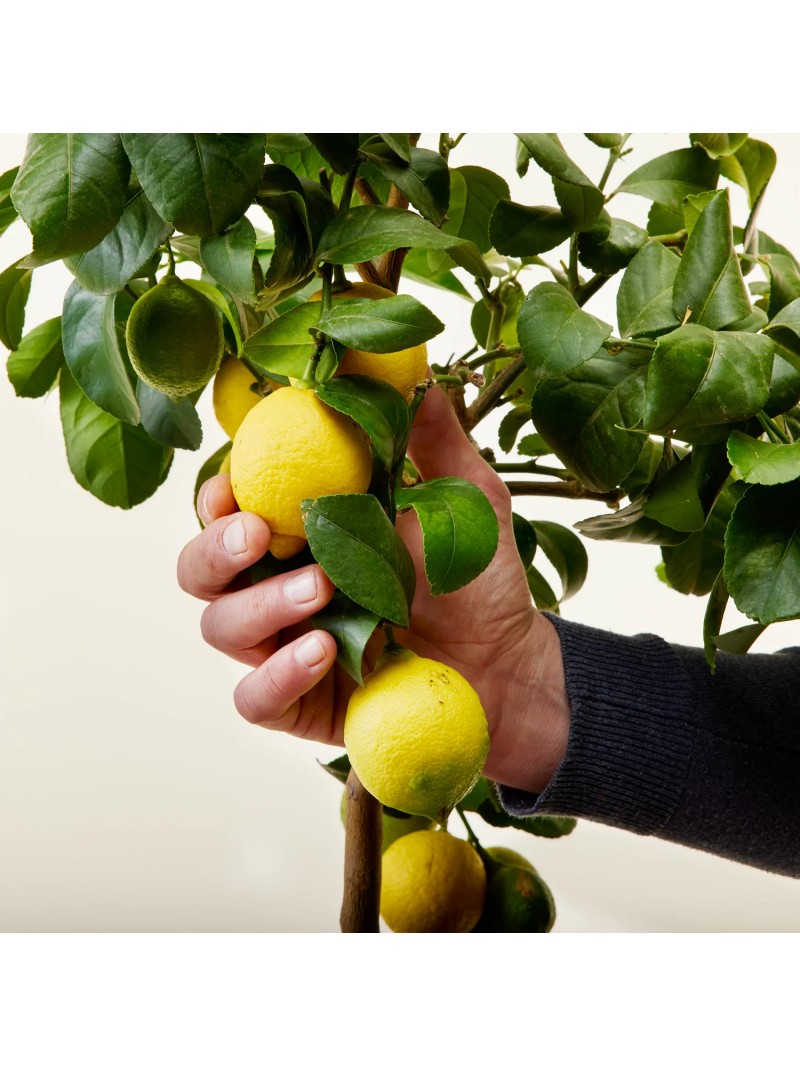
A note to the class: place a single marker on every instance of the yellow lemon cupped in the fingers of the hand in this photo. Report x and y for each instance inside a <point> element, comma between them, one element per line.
<point>290,448</point>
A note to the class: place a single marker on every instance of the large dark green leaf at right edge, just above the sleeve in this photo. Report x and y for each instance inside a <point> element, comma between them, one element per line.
<point>763,553</point>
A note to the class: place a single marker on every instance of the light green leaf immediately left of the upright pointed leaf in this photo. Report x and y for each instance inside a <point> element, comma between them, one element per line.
<point>645,297</point>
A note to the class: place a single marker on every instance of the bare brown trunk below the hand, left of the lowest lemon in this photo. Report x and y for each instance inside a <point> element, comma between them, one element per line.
<point>361,903</point>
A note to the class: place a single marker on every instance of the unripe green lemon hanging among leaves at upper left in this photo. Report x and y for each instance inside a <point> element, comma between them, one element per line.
<point>174,338</point>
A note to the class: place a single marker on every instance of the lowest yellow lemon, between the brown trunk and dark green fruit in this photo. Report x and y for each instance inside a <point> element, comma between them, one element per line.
<point>433,883</point>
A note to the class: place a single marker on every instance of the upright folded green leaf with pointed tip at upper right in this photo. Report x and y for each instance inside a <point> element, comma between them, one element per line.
<point>709,281</point>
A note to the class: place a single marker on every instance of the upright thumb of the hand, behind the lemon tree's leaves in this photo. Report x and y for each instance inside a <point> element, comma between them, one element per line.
<point>439,448</point>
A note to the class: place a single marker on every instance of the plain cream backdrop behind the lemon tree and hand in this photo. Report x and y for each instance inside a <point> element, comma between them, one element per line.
<point>133,798</point>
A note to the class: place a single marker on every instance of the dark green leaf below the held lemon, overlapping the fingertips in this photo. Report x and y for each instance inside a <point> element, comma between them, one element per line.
<point>360,551</point>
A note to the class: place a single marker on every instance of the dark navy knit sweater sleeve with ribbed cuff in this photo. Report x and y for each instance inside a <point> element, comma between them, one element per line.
<point>661,746</point>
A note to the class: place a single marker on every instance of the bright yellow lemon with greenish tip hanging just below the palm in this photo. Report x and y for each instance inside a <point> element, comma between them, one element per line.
<point>417,735</point>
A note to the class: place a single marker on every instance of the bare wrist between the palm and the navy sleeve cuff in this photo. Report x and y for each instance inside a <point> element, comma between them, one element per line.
<point>533,725</point>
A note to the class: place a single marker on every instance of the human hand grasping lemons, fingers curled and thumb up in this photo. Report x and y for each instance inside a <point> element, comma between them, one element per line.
<point>489,631</point>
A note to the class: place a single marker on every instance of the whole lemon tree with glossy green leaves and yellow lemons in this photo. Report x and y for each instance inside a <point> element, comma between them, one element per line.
<point>276,265</point>
